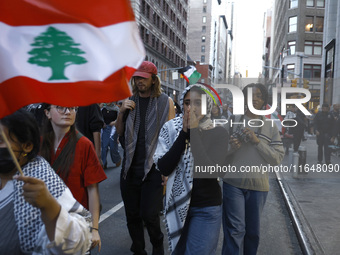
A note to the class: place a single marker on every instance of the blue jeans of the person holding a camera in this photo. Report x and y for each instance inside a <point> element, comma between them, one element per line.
<point>242,210</point>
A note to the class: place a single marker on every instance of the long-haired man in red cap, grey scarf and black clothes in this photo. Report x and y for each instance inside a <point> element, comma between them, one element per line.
<point>138,124</point>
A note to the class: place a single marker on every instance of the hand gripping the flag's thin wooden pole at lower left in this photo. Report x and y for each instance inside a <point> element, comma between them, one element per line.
<point>35,192</point>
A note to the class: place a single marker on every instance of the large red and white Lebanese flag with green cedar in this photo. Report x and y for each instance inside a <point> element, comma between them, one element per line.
<point>68,53</point>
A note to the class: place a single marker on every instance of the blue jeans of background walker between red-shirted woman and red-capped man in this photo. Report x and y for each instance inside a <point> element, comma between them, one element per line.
<point>112,143</point>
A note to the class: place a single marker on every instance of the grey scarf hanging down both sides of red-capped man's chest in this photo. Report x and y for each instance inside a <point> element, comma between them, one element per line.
<point>156,115</point>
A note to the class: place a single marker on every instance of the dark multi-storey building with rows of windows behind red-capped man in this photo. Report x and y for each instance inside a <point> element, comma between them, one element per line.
<point>164,29</point>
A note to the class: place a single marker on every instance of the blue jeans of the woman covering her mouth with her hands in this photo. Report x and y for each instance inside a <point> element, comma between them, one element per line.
<point>201,231</point>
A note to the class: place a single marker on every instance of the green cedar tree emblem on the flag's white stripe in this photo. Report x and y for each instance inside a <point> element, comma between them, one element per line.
<point>55,49</point>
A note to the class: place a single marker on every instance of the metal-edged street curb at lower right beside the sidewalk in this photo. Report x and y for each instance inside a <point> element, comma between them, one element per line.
<point>309,243</point>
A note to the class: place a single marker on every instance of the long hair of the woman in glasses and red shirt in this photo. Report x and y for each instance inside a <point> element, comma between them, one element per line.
<point>47,146</point>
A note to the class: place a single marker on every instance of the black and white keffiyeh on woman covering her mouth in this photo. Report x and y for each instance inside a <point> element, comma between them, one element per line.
<point>180,181</point>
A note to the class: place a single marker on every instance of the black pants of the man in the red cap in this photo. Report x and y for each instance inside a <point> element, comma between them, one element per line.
<point>143,202</point>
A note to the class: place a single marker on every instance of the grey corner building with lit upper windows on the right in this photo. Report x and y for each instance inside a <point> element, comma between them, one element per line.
<point>297,44</point>
